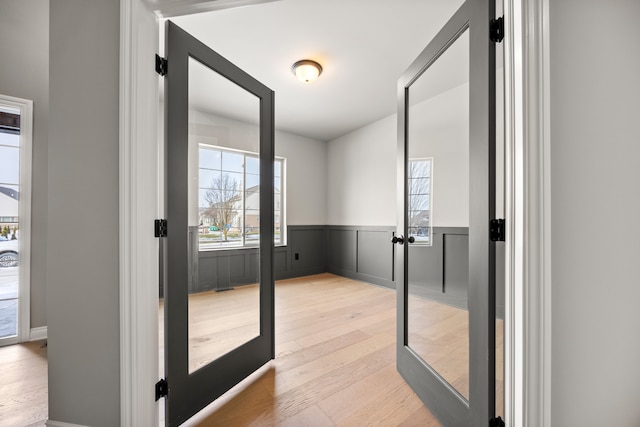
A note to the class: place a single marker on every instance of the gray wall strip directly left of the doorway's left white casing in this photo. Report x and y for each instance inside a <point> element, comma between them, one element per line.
<point>82,247</point>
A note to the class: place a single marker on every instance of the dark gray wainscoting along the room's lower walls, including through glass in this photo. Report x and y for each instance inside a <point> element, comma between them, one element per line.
<point>438,272</point>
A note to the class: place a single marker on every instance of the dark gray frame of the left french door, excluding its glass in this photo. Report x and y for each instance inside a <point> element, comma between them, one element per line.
<point>191,390</point>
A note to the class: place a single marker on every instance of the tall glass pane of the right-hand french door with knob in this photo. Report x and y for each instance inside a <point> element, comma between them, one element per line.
<point>438,214</point>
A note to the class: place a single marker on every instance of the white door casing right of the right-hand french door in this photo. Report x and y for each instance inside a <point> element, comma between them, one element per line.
<point>528,296</point>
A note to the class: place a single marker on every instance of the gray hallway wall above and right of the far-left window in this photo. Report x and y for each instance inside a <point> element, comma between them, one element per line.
<point>24,73</point>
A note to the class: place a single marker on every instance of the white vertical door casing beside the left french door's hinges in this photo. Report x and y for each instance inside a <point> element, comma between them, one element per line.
<point>138,208</point>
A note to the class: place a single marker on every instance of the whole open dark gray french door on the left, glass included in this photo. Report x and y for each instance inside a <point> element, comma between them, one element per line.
<point>220,225</point>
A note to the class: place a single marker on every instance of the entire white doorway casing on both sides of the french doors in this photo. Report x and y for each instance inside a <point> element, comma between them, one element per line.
<point>527,209</point>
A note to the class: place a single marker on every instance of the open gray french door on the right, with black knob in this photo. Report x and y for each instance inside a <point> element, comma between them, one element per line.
<point>444,256</point>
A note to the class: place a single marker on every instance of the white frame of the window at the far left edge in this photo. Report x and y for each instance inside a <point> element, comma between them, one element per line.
<point>25,107</point>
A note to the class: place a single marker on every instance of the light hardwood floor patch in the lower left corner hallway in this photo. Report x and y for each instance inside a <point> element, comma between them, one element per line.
<point>23,385</point>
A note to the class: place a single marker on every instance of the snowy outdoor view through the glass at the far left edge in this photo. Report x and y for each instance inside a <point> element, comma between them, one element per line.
<point>9,230</point>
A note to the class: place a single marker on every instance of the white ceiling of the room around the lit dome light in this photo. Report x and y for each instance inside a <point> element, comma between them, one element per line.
<point>363,45</point>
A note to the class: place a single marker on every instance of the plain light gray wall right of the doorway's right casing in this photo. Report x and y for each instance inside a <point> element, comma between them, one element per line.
<point>595,205</point>
